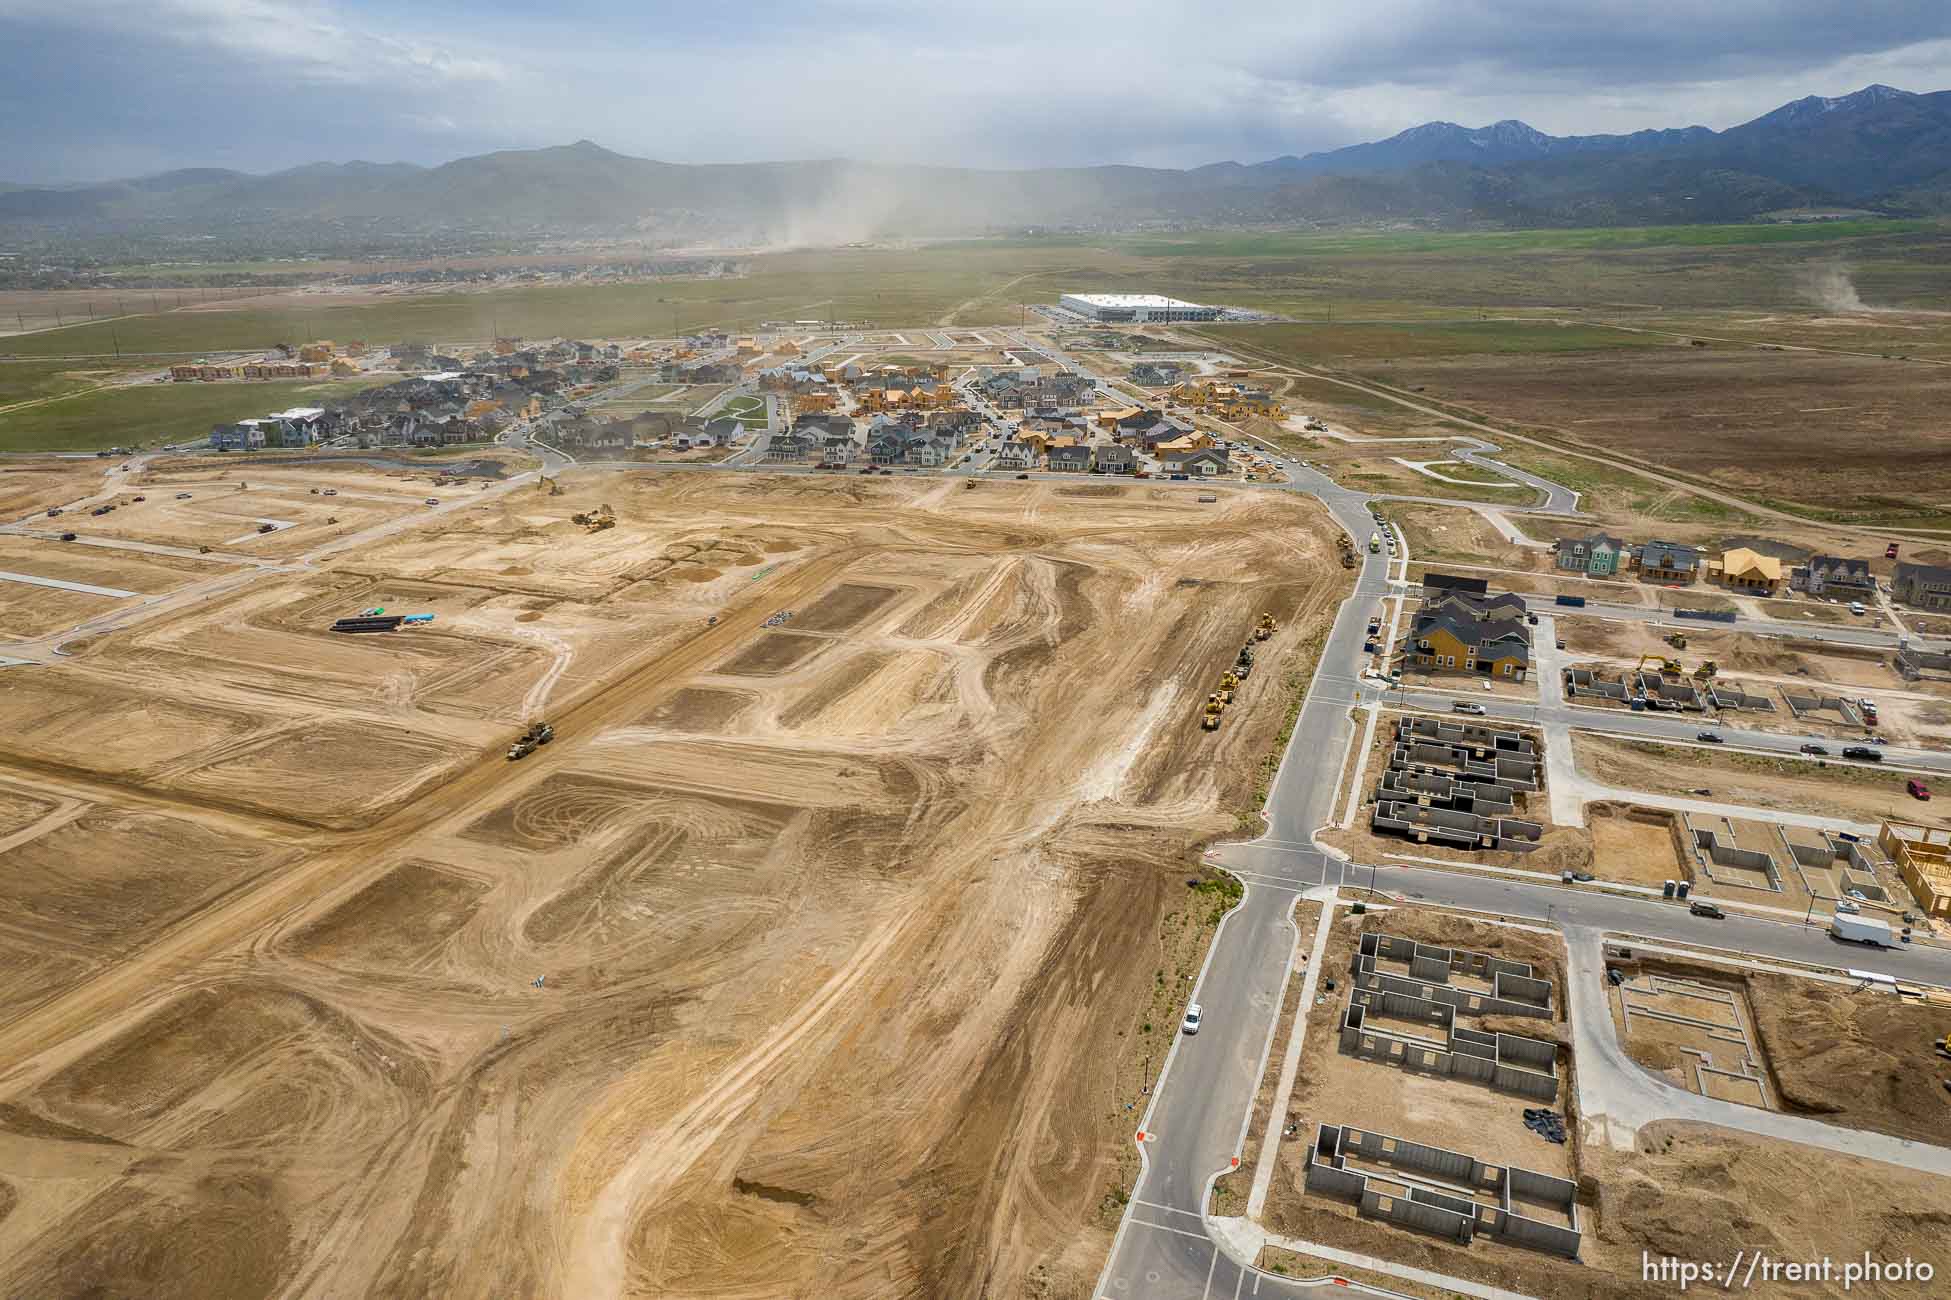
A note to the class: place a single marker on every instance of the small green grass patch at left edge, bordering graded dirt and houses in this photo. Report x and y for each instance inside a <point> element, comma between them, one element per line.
<point>153,415</point>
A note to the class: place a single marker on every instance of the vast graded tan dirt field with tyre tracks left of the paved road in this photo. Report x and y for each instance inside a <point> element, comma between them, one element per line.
<point>797,954</point>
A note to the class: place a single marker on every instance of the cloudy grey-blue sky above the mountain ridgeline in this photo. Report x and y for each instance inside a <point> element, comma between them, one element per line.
<point>99,89</point>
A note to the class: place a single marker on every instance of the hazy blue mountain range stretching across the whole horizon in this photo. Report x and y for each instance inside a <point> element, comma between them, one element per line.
<point>1880,149</point>
